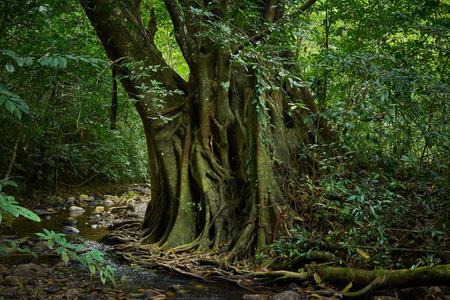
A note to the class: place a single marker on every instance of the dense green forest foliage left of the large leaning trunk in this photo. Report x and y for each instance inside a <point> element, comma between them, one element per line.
<point>52,66</point>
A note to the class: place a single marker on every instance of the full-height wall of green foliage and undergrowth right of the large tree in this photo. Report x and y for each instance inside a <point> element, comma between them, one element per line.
<point>380,74</point>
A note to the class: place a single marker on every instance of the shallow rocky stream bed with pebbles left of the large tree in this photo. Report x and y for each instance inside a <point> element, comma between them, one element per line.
<point>48,277</point>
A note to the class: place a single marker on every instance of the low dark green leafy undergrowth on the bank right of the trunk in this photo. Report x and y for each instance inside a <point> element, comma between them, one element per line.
<point>368,218</point>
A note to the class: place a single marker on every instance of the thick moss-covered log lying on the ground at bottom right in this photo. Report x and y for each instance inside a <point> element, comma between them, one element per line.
<point>438,275</point>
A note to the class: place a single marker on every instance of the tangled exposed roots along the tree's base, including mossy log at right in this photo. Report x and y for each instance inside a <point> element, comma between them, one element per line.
<point>222,266</point>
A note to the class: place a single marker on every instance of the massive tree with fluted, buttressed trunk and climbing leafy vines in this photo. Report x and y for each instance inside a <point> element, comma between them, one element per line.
<point>222,142</point>
